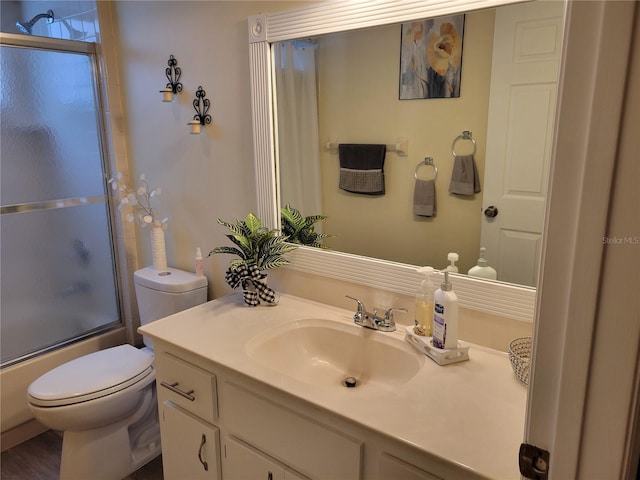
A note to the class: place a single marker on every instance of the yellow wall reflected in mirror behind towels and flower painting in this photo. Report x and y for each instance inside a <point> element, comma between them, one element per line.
<point>358,74</point>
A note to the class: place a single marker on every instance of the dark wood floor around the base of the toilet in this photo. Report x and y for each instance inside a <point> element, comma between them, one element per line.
<point>39,459</point>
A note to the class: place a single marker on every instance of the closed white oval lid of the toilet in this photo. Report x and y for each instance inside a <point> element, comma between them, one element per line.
<point>91,376</point>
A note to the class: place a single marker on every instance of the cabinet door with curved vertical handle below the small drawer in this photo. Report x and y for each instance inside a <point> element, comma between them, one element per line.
<point>190,447</point>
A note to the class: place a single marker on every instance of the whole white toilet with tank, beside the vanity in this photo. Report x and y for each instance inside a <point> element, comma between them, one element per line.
<point>105,402</point>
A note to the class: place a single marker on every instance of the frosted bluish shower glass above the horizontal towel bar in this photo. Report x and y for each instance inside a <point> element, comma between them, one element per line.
<point>49,129</point>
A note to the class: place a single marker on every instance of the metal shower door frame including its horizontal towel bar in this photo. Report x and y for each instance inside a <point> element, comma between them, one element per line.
<point>90,49</point>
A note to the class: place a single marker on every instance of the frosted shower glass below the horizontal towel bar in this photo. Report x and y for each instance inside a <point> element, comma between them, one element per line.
<point>57,277</point>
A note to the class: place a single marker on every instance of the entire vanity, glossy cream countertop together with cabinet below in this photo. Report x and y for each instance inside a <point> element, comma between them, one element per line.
<point>259,423</point>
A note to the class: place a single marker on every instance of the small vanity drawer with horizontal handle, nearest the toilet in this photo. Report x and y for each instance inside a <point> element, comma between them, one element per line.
<point>188,386</point>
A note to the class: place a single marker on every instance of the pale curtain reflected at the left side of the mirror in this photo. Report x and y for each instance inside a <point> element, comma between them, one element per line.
<point>297,107</point>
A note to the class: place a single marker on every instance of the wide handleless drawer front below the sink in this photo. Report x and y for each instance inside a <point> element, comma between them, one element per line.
<point>296,441</point>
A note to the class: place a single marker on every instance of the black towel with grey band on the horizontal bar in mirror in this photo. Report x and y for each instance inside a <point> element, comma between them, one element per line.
<point>362,168</point>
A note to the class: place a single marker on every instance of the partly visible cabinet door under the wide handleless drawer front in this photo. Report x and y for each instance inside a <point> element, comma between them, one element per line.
<point>243,462</point>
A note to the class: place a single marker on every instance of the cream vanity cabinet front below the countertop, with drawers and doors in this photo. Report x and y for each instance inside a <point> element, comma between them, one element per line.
<point>219,424</point>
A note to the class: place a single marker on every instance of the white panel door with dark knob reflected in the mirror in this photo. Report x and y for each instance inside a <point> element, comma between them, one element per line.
<point>524,76</point>
